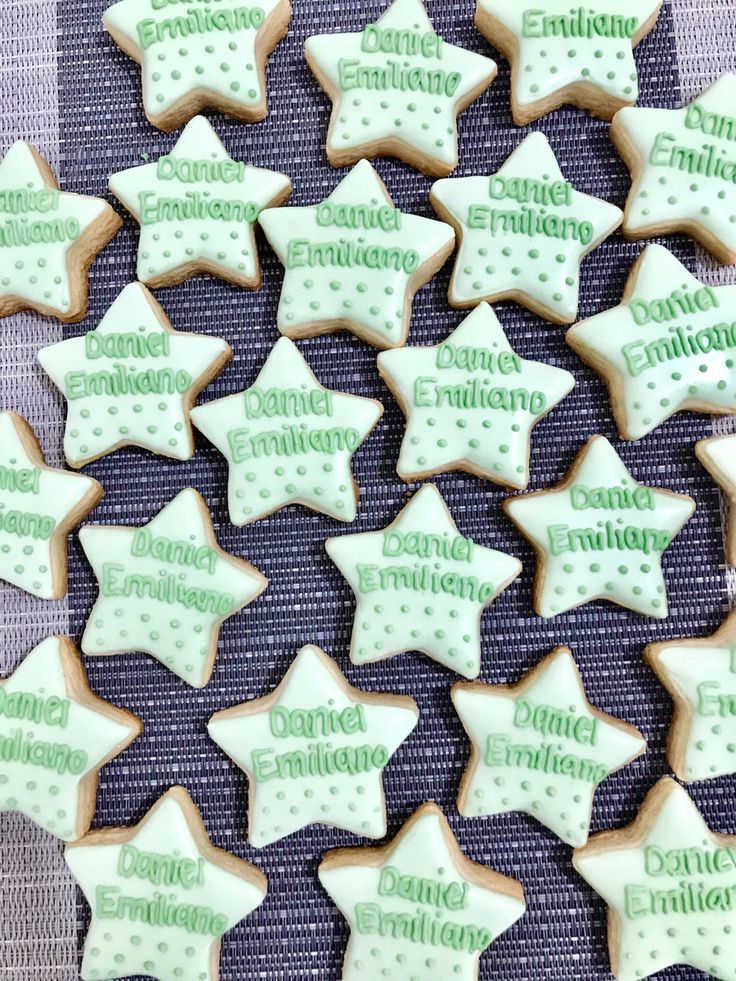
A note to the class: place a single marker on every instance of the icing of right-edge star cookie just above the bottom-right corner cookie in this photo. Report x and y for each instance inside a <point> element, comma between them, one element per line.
<point>706,677</point>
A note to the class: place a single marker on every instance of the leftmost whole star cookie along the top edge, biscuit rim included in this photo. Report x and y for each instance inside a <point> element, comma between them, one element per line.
<point>199,56</point>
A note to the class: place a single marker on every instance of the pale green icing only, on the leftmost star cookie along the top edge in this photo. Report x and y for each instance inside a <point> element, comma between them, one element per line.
<point>215,51</point>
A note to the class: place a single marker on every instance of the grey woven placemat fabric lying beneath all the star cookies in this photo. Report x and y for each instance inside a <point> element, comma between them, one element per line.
<point>297,934</point>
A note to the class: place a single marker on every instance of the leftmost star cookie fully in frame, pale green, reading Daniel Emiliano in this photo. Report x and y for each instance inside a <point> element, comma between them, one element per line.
<point>132,380</point>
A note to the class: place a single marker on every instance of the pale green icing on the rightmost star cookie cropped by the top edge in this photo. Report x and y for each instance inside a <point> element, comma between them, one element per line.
<point>562,43</point>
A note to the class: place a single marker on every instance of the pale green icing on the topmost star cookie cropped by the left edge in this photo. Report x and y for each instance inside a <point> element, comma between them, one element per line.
<point>38,228</point>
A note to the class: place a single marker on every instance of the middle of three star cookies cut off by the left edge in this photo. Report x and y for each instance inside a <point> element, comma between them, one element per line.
<point>39,506</point>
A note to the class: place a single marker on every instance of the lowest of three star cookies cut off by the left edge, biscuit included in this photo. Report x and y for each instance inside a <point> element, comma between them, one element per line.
<point>55,737</point>
